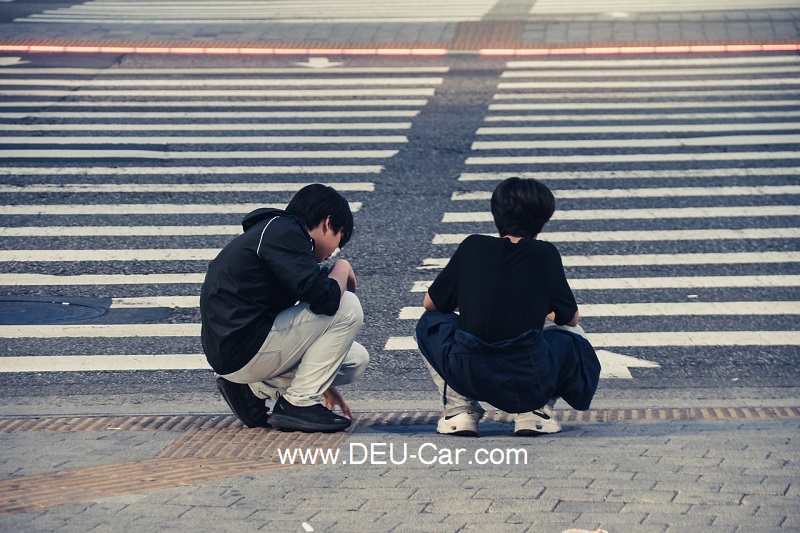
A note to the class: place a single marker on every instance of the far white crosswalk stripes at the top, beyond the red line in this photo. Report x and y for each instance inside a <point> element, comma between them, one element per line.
<point>353,11</point>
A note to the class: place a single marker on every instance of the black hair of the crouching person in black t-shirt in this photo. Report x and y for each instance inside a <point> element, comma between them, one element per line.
<point>521,207</point>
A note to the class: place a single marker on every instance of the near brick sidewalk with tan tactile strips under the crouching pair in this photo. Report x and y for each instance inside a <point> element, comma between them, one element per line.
<point>698,469</point>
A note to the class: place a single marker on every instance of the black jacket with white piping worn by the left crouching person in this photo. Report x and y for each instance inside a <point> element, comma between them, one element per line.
<point>267,269</point>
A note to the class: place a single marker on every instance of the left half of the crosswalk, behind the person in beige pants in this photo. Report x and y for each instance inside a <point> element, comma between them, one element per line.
<point>124,182</point>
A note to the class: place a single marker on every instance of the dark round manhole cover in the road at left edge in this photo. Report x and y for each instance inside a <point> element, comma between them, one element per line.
<point>26,311</point>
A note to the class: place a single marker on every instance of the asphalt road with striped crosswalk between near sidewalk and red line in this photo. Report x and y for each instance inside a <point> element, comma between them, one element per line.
<point>676,179</point>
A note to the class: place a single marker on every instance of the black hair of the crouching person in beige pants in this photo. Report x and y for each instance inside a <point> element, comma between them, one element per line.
<point>314,203</point>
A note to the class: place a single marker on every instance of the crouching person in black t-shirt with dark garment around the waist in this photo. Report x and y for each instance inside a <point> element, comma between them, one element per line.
<point>515,342</point>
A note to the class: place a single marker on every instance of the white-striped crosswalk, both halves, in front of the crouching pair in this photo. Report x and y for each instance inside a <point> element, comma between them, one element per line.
<point>675,181</point>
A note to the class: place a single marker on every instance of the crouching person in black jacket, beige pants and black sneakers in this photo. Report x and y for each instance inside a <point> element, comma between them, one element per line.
<point>278,325</point>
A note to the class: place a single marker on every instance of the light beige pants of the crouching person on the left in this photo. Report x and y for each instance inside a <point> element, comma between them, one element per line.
<point>305,353</point>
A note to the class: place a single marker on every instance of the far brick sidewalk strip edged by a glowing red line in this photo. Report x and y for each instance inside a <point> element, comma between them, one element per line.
<point>503,31</point>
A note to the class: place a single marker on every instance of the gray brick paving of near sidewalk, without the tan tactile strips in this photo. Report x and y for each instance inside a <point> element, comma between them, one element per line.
<point>653,475</point>
